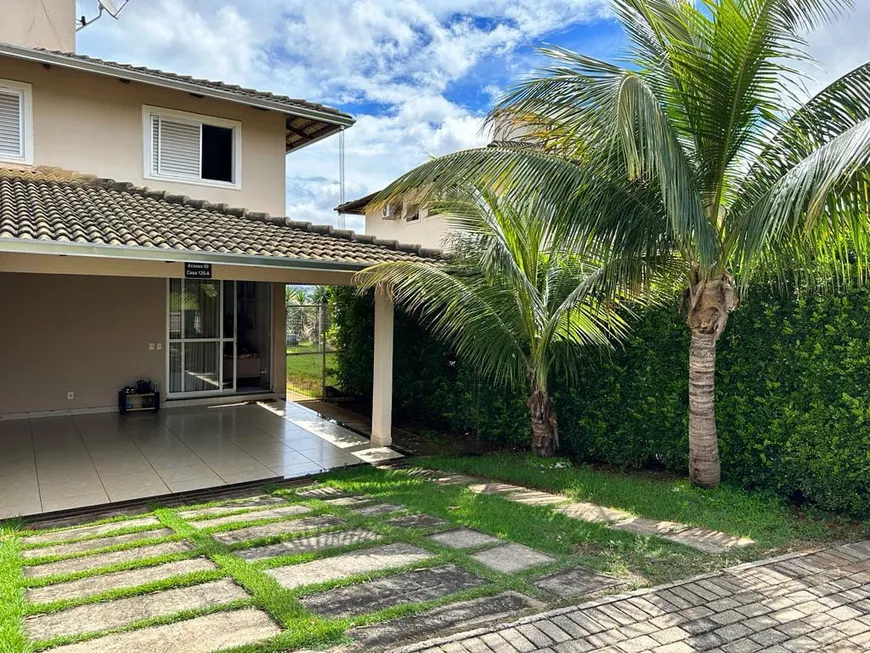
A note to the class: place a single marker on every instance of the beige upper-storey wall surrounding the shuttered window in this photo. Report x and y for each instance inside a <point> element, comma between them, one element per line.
<point>94,124</point>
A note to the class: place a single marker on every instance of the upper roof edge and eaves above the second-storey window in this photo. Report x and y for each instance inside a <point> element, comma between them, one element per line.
<point>306,122</point>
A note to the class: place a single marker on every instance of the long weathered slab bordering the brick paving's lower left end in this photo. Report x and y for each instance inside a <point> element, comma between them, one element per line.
<point>463,615</point>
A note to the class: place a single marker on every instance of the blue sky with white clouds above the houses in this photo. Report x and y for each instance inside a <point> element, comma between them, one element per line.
<point>417,74</point>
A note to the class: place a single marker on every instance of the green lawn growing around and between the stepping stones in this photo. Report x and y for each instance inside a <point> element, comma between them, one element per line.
<point>637,560</point>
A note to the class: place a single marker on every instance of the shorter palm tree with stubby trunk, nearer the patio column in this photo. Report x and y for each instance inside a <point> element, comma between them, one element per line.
<point>516,299</point>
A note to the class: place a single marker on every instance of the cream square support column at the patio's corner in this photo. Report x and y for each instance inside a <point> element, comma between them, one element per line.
<point>382,388</point>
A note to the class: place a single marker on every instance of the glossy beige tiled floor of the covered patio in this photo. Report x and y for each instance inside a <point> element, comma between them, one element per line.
<point>57,463</point>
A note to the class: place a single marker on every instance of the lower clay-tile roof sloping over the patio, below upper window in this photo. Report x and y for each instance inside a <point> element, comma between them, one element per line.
<point>52,211</point>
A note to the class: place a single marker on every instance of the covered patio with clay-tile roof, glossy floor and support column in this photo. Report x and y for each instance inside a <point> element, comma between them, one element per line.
<point>96,297</point>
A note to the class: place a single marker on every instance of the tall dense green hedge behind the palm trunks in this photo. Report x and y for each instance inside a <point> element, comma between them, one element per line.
<point>793,394</point>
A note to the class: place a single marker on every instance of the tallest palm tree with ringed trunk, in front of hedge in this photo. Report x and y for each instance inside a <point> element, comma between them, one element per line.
<point>699,147</point>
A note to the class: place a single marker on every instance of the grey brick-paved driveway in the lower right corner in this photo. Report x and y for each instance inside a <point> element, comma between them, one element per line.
<point>814,601</point>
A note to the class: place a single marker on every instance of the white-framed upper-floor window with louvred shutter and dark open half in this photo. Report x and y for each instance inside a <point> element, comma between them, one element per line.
<point>187,147</point>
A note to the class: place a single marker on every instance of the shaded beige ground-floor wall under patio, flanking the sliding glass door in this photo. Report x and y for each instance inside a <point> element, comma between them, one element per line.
<point>89,335</point>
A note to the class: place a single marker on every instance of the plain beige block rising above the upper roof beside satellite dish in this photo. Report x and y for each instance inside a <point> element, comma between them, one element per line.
<point>46,24</point>
